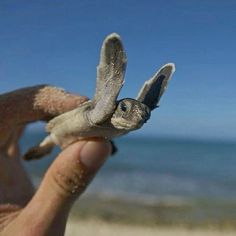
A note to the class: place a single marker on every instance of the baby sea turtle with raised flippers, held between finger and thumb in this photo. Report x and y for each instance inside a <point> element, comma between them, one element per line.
<point>104,116</point>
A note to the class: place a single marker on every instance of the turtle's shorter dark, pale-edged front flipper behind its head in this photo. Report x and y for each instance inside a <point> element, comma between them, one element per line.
<point>153,89</point>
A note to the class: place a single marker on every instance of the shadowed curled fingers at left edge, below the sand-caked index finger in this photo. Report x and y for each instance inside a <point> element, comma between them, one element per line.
<point>15,185</point>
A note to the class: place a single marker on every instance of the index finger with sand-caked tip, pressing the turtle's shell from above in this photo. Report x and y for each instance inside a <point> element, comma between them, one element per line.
<point>40,102</point>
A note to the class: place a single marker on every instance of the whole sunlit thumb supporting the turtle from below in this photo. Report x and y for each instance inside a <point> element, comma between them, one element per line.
<point>65,181</point>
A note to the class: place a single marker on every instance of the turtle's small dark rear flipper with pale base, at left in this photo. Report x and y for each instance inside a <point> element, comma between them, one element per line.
<point>37,152</point>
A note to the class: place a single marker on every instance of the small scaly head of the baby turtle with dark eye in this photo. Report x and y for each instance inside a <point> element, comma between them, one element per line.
<point>130,114</point>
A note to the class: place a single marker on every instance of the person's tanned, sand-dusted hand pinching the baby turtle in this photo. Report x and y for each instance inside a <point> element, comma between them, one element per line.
<point>44,212</point>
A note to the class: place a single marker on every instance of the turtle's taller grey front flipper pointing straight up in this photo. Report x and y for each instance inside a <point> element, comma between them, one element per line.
<point>110,78</point>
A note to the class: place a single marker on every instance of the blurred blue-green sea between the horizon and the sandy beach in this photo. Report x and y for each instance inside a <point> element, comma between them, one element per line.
<point>197,175</point>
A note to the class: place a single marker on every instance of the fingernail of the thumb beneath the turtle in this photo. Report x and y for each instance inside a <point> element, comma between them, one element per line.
<point>94,153</point>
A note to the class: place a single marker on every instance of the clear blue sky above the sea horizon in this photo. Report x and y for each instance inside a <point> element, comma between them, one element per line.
<point>58,42</point>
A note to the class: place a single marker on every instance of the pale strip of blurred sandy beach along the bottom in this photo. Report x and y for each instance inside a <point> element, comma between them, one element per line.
<point>100,228</point>
